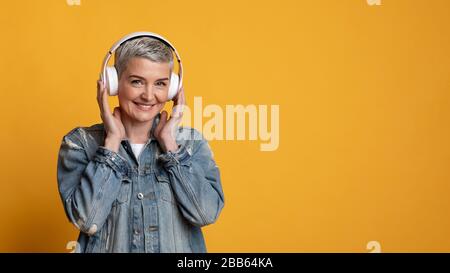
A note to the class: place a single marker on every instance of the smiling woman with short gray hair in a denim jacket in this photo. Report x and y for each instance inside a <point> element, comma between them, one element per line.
<point>137,182</point>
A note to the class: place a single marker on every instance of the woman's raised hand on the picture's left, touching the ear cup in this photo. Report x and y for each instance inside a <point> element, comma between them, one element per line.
<point>115,131</point>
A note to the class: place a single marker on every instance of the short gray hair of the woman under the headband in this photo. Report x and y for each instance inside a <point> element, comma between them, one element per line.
<point>146,47</point>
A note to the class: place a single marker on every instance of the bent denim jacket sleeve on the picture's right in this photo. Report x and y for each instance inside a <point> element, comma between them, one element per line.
<point>195,180</point>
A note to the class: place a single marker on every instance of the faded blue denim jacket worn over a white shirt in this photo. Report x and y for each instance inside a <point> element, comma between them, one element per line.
<point>155,203</point>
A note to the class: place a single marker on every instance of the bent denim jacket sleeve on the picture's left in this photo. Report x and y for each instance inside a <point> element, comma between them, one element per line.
<point>88,188</point>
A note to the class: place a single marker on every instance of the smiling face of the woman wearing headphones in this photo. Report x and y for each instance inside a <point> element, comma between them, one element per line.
<point>143,88</point>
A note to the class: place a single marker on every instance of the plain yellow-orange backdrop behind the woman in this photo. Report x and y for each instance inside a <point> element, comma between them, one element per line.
<point>364,115</point>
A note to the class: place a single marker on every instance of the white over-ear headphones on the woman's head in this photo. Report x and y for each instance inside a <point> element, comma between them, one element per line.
<point>109,75</point>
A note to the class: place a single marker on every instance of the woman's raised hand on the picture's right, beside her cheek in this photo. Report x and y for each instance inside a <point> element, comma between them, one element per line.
<point>165,131</point>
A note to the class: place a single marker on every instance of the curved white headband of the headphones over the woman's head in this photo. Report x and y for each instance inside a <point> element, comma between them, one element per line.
<point>136,35</point>
